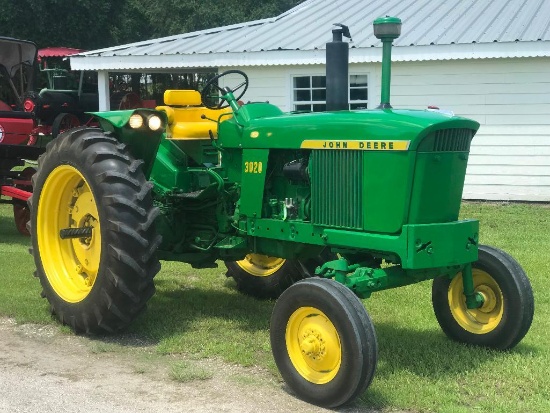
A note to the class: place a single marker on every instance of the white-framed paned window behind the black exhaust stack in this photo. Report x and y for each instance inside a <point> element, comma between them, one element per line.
<point>309,93</point>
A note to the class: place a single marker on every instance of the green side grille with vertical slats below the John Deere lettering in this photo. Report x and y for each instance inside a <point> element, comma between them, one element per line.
<point>337,188</point>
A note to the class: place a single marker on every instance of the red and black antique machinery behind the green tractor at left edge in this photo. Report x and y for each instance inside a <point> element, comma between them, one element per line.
<point>26,113</point>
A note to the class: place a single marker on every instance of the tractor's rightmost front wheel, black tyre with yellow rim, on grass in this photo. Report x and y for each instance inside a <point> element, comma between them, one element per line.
<point>508,307</point>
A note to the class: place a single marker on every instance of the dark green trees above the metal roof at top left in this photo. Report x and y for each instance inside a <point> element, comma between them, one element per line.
<point>93,24</point>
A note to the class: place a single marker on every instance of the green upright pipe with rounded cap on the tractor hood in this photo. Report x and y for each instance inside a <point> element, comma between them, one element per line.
<point>386,29</point>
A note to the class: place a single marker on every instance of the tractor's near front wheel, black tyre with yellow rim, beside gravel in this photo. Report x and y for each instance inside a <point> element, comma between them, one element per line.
<point>323,342</point>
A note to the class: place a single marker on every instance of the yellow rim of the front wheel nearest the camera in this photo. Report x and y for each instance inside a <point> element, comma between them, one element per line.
<point>313,345</point>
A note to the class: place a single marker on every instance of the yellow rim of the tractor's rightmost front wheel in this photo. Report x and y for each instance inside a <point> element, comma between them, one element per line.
<point>478,320</point>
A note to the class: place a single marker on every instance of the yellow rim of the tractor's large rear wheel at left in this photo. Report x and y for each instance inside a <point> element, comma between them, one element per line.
<point>71,265</point>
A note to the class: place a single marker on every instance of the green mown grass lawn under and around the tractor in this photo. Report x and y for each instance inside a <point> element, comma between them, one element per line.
<point>198,313</point>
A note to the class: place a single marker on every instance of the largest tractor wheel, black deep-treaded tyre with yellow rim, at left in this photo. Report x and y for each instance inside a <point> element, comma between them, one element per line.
<point>93,232</point>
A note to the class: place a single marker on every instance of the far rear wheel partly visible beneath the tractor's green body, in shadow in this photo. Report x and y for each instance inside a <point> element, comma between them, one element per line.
<point>262,276</point>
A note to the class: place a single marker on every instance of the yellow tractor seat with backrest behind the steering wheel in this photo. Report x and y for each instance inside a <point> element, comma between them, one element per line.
<point>184,110</point>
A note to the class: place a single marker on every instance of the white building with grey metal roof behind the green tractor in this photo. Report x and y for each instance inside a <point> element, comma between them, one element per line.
<point>485,59</point>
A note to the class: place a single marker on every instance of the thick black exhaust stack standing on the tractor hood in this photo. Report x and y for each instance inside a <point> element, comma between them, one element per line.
<point>337,69</point>
